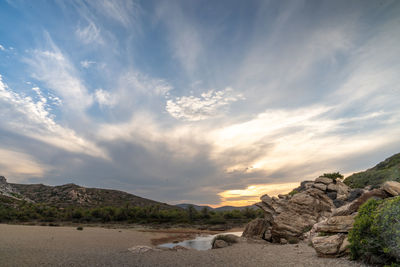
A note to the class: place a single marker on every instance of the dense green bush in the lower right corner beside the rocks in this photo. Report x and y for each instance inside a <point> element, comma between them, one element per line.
<point>375,237</point>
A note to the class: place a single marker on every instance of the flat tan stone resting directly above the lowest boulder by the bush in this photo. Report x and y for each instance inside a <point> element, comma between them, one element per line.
<point>336,224</point>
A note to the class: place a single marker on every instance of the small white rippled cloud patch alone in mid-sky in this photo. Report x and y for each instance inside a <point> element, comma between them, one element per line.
<point>208,105</point>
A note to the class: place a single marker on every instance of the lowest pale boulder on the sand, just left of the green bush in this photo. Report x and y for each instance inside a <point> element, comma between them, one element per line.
<point>327,246</point>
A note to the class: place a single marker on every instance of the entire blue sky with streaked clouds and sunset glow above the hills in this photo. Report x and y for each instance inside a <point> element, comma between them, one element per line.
<point>203,102</point>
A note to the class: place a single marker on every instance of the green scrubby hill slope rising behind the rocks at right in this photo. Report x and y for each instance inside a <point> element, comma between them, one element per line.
<point>387,170</point>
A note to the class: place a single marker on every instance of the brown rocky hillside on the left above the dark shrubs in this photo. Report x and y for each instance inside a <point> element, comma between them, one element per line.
<point>73,195</point>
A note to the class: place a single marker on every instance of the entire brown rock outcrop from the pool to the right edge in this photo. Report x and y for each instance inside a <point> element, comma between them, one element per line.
<point>322,211</point>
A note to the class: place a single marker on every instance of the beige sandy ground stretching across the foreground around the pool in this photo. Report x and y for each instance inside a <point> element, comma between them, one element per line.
<point>66,246</point>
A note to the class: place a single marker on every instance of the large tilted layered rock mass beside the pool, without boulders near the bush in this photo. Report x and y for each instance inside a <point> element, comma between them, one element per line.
<point>288,217</point>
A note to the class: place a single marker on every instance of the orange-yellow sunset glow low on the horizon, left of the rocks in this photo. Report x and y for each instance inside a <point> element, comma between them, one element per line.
<point>252,194</point>
